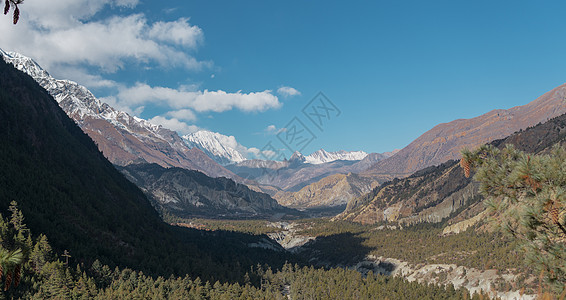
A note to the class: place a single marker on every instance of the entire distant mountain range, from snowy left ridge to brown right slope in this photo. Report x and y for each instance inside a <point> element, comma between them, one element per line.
<point>301,181</point>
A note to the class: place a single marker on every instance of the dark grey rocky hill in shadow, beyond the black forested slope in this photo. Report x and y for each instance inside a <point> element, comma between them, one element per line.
<point>187,193</point>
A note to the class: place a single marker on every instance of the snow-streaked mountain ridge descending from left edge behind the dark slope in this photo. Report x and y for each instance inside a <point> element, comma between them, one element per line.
<point>123,139</point>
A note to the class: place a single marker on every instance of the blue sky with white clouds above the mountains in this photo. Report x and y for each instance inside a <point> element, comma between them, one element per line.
<point>394,68</point>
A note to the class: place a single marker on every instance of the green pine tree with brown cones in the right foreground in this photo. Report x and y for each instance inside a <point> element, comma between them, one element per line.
<point>526,195</point>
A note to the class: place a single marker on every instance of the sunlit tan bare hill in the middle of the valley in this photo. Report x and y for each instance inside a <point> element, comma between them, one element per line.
<point>331,191</point>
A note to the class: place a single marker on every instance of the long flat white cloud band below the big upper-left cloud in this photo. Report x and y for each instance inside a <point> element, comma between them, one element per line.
<point>200,101</point>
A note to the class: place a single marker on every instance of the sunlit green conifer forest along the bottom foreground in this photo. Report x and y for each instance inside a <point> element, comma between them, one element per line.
<point>39,272</point>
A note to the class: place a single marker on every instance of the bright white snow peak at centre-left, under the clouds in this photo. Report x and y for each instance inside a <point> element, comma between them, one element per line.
<point>223,149</point>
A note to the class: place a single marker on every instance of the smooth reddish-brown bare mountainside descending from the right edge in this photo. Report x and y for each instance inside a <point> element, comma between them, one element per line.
<point>444,141</point>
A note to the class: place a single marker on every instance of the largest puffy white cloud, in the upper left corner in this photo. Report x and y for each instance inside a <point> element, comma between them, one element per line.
<point>62,35</point>
